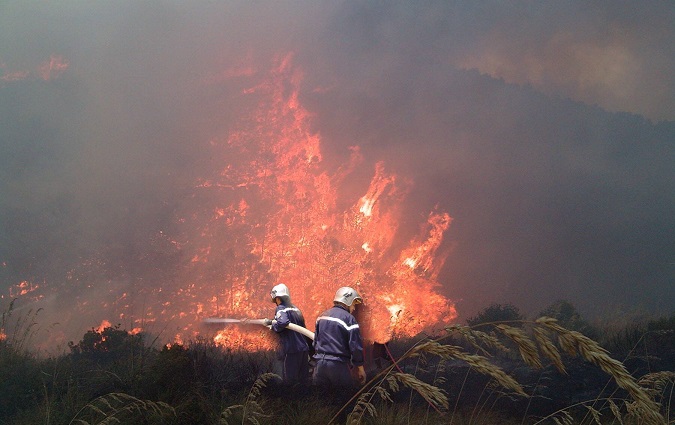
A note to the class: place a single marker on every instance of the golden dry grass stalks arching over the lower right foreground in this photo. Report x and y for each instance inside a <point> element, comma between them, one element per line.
<point>538,342</point>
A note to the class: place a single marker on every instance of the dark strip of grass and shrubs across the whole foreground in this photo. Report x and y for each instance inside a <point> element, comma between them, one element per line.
<point>501,368</point>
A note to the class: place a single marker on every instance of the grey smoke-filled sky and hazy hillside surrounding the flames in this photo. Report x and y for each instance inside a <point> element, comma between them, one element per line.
<point>545,129</point>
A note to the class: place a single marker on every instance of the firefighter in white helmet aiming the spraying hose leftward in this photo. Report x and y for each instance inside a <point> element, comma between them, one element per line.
<point>294,347</point>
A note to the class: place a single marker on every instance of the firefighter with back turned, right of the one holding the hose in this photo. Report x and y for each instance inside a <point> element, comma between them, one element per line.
<point>338,347</point>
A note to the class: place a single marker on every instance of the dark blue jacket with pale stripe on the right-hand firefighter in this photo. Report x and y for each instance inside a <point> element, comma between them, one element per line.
<point>338,337</point>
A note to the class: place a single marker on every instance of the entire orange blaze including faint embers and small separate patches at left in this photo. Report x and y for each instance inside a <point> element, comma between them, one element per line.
<point>266,209</point>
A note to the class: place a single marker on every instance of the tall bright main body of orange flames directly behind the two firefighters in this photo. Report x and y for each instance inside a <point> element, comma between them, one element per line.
<point>275,218</point>
